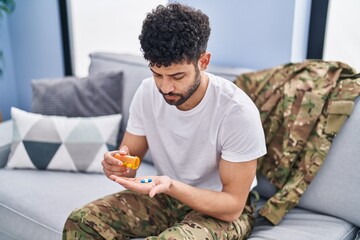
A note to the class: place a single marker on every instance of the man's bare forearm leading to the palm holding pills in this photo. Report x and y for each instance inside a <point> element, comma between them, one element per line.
<point>220,205</point>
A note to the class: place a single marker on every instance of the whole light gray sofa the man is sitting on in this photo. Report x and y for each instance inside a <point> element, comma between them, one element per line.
<point>34,204</point>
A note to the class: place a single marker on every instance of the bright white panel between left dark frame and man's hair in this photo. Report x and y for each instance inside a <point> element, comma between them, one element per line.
<point>106,25</point>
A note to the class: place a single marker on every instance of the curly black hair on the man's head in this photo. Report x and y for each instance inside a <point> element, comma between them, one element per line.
<point>174,33</point>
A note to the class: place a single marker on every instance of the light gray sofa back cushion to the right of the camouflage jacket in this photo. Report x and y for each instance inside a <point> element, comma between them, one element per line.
<point>335,189</point>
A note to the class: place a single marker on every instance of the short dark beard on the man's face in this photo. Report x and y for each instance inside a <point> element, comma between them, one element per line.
<point>182,98</point>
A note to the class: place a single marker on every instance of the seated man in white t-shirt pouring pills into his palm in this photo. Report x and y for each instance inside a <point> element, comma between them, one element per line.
<point>204,134</point>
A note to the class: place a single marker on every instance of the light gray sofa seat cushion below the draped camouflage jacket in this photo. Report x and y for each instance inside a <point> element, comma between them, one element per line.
<point>300,224</point>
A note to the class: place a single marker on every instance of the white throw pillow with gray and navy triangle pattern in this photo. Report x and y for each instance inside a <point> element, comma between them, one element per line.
<point>61,143</point>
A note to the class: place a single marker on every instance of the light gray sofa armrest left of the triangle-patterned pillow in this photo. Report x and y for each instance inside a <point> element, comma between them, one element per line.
<point>5,141</point>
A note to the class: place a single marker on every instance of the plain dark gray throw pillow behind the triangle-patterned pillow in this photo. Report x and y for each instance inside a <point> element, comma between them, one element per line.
<point>96,95</point>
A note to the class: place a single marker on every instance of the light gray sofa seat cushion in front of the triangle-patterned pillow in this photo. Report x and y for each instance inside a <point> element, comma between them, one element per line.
<point>35,204</point>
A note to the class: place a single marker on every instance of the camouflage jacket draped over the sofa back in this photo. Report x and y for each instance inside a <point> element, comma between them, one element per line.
<point>302,107</point>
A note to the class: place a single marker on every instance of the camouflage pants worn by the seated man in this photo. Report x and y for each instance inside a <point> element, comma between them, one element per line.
<point>127,214</point>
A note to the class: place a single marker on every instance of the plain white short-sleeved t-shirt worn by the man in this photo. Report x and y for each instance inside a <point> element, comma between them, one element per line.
<point>188,145</point>
